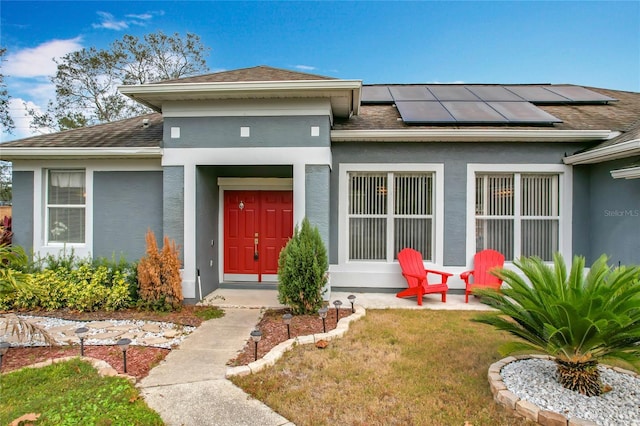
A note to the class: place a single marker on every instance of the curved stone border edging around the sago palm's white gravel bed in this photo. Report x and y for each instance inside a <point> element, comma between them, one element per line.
<point>526,409</point>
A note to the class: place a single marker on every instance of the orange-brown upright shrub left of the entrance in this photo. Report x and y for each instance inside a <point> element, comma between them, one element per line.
<point>160,284</point>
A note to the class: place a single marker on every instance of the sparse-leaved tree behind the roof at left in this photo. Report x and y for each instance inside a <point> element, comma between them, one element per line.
<point>86,81</point>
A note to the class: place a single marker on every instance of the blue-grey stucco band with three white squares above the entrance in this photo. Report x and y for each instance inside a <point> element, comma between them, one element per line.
<point>224,132</point>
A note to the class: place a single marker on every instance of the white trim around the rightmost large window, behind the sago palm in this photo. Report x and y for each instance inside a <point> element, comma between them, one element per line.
<point>565,185</point>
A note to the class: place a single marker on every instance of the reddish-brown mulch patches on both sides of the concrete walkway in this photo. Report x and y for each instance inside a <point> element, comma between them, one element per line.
<point>141,359</point>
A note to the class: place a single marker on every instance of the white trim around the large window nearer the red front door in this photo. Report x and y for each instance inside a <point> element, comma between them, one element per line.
<point>343,222</point>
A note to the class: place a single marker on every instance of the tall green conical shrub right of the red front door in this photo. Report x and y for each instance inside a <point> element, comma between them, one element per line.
<point>302,270</point>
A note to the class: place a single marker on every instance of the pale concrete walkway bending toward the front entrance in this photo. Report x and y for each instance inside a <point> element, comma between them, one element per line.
<point>189,386</point>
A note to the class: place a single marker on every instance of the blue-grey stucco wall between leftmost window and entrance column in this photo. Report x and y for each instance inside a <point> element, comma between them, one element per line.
<point>126,204</point>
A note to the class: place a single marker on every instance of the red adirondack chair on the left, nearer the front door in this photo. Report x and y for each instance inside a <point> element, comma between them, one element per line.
<point>416,275</point>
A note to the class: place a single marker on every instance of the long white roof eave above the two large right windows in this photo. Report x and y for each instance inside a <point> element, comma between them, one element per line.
<point>469,135</point>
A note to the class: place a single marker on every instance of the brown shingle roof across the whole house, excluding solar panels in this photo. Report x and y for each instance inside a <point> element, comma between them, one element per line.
<point>618,116</point>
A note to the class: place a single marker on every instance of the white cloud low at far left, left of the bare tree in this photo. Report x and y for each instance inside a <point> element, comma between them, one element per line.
<point>38,61</point>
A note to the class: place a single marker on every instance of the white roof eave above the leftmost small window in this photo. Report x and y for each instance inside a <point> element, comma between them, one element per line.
<point>60,153</point>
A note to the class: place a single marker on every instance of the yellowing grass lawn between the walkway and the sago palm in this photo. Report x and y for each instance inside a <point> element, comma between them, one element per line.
<point>394,367</point>
